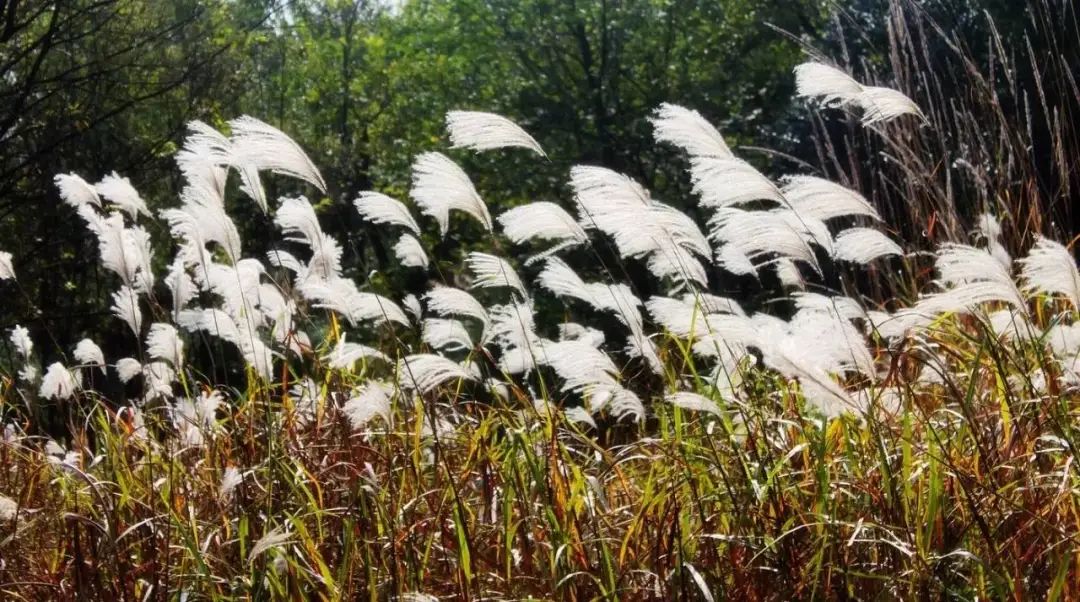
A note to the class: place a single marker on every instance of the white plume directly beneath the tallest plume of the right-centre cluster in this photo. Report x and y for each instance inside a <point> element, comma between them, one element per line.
<point>721,183</point>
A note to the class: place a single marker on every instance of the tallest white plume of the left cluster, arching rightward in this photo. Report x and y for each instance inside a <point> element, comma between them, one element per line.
<point>259,145</point>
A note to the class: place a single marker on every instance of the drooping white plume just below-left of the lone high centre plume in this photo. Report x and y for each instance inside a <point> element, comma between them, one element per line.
<point>440,185</point>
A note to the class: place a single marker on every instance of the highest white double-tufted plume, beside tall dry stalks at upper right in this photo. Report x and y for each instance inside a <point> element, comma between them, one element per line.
<point>838,89</point>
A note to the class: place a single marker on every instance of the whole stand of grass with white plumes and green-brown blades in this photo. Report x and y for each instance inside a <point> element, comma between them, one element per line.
<point>526,430</point>
